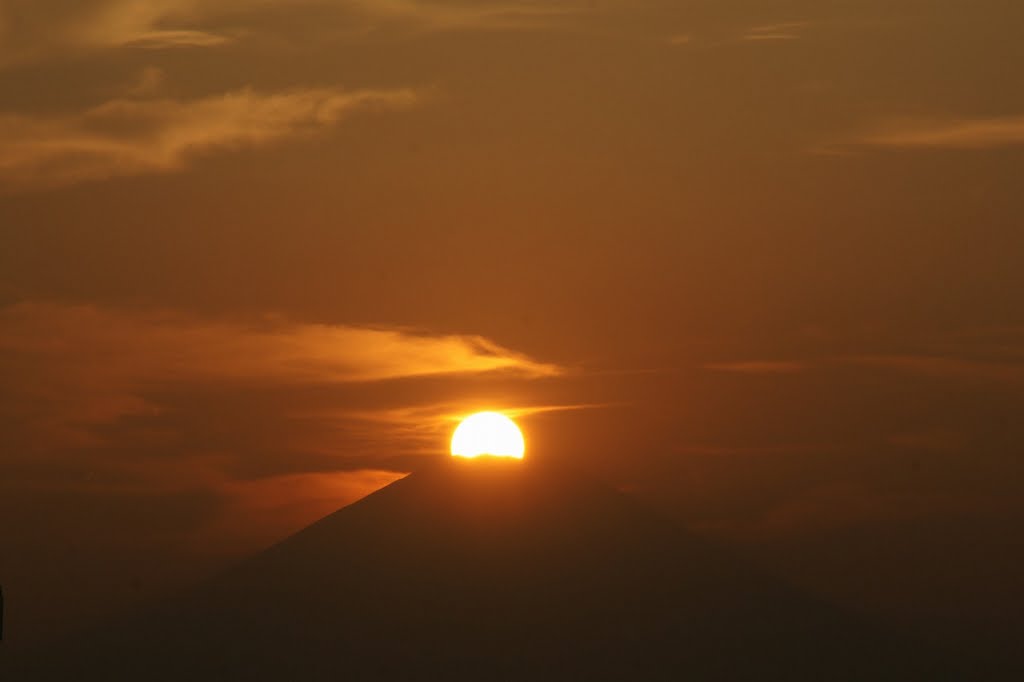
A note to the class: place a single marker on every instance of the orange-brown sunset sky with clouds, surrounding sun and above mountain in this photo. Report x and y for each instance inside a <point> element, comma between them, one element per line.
<point>760,264</point>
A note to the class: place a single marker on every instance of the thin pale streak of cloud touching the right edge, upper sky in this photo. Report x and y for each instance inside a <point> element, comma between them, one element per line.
<point>977,134</point>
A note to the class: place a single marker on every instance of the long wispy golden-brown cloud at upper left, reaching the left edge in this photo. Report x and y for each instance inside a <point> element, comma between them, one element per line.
<point>133,137</point>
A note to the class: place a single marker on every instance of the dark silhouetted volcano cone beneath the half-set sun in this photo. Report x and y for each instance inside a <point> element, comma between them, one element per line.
<point>490,571</point>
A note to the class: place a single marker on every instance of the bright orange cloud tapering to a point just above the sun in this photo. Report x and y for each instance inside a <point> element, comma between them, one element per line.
<point>108,358</point>
